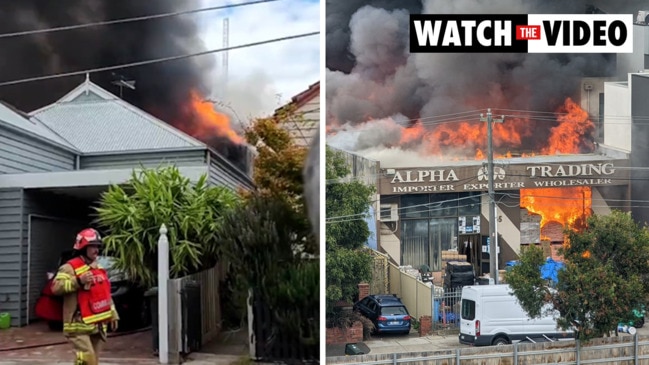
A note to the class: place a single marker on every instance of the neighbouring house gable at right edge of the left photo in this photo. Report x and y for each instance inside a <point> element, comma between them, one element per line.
<point>306,103</point>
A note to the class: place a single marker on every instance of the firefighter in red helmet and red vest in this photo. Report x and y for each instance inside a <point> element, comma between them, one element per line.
<point>88,307</point>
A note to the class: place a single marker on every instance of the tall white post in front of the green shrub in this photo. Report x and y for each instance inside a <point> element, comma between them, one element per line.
<point>163,296</point>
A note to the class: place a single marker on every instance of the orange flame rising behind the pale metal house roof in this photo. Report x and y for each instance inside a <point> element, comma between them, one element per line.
<point>203,122</point>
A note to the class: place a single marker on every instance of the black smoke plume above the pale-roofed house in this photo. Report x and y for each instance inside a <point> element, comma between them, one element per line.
<point>161,88</point>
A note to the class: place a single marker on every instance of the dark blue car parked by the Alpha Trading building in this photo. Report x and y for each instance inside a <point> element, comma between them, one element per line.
<point>387,313</point>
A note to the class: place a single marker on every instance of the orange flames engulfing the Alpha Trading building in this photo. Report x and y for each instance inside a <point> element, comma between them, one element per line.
<point>571,134</point>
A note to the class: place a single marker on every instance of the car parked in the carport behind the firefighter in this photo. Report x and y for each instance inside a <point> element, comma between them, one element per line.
<point>128,298</point>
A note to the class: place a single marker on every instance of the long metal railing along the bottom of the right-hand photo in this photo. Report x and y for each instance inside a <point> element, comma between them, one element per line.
<point>613,350</point>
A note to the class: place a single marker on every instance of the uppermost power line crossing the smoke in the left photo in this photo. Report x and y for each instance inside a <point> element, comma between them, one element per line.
<point>130,20</point>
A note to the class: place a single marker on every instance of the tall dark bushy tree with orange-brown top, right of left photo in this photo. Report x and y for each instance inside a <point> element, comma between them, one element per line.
<point>264,239</point>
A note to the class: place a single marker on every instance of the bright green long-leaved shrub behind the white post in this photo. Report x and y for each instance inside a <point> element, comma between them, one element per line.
<point>131,216</point>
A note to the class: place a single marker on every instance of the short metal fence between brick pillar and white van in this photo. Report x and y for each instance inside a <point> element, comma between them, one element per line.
<point>446,310</point>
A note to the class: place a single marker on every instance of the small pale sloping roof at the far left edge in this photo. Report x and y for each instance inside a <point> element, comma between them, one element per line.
<point>17,120</point>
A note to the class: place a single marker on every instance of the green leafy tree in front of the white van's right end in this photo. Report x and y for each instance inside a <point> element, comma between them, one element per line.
<point>604,280</point>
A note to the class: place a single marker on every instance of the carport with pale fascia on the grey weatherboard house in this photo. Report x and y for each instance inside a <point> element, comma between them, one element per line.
<point>54,213</point>
